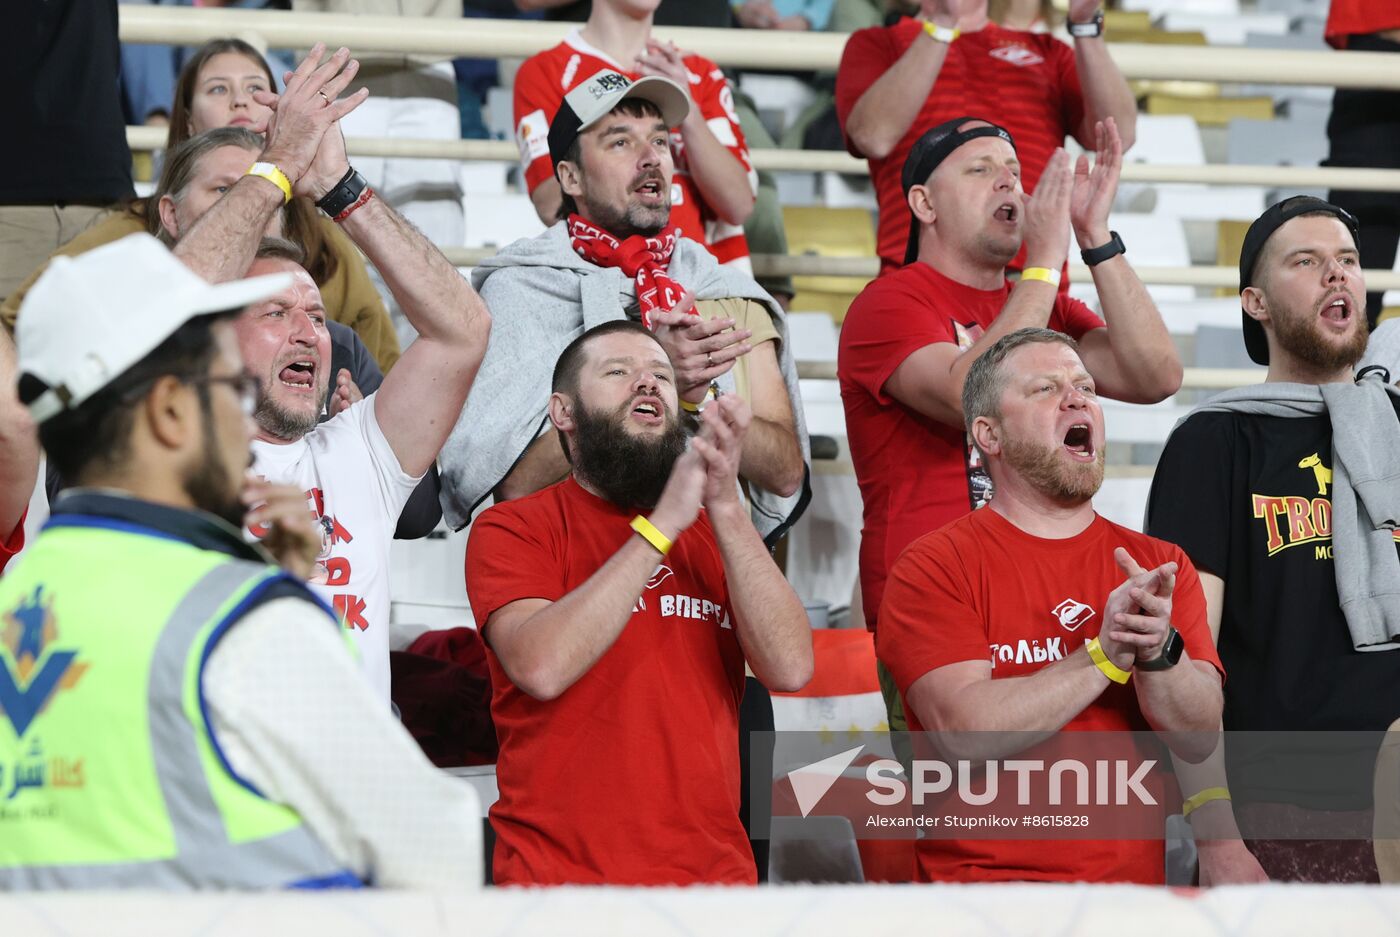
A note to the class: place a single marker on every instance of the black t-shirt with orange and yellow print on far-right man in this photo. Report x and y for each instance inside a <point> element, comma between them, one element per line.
<point>1248,498</point>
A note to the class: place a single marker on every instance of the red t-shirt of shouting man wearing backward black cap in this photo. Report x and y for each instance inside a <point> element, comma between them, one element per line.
<point>915,473</point>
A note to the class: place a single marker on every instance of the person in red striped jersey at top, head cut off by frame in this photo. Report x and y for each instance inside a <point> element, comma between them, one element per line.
<point>898,82</point>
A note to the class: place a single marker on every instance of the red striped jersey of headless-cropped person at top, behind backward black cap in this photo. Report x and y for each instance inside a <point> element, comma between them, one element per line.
<point>1024,82</point>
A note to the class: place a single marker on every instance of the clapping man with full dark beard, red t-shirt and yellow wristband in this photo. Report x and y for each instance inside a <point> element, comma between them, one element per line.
<point>619,609</point>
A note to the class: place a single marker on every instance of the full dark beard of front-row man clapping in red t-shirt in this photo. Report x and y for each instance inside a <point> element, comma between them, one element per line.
<point>629,471</point>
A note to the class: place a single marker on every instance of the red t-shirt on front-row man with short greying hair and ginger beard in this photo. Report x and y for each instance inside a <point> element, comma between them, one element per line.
<point>1004,595</point>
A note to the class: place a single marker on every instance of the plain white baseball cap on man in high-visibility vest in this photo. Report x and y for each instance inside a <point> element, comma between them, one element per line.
<point>92,317</point>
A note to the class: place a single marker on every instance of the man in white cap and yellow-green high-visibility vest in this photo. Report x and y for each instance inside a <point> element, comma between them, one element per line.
<point>180,712</point>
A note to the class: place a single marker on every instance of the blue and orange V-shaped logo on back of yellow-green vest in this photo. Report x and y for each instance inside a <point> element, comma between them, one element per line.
<point>31,670</point>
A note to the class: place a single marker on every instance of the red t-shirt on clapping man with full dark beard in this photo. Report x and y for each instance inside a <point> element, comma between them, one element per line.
<point>632,775</point>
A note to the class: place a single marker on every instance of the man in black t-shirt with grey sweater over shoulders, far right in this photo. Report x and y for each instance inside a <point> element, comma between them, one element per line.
<point>1284,495</point>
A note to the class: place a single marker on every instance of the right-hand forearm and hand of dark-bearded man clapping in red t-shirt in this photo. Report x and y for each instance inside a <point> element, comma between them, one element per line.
<point>768,616</point>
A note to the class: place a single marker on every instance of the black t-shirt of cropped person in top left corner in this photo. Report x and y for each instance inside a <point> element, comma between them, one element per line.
<point>61,107</point>
